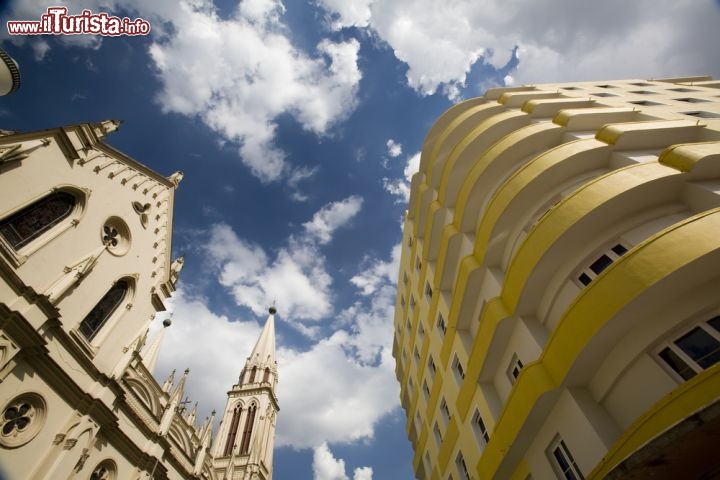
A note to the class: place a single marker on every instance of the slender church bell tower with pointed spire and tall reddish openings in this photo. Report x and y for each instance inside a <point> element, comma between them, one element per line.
<point>243,448</point>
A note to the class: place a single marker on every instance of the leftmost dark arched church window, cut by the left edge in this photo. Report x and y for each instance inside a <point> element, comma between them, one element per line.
<point>37,218</point>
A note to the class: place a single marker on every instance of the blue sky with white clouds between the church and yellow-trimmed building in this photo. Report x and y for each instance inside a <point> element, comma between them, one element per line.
<point>297,126</point>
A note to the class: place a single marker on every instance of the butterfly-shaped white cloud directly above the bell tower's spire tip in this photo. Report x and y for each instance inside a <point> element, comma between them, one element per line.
<point>297,270</point>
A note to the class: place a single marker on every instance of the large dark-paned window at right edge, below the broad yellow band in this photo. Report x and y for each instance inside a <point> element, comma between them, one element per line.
<point>694,351</point>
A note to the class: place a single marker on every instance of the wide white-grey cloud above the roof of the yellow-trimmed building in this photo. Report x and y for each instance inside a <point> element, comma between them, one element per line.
<point>558,41</point>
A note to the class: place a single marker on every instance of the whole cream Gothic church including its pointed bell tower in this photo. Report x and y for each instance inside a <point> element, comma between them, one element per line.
<point>85,267</point>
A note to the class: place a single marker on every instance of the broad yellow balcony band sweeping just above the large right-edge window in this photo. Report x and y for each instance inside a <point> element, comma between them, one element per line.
<point>632,274</point>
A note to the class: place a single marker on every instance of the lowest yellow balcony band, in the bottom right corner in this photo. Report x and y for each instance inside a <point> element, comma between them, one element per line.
<point>682,402</point>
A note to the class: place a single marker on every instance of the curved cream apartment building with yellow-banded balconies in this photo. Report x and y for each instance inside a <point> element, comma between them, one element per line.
<point>558,305</point>
